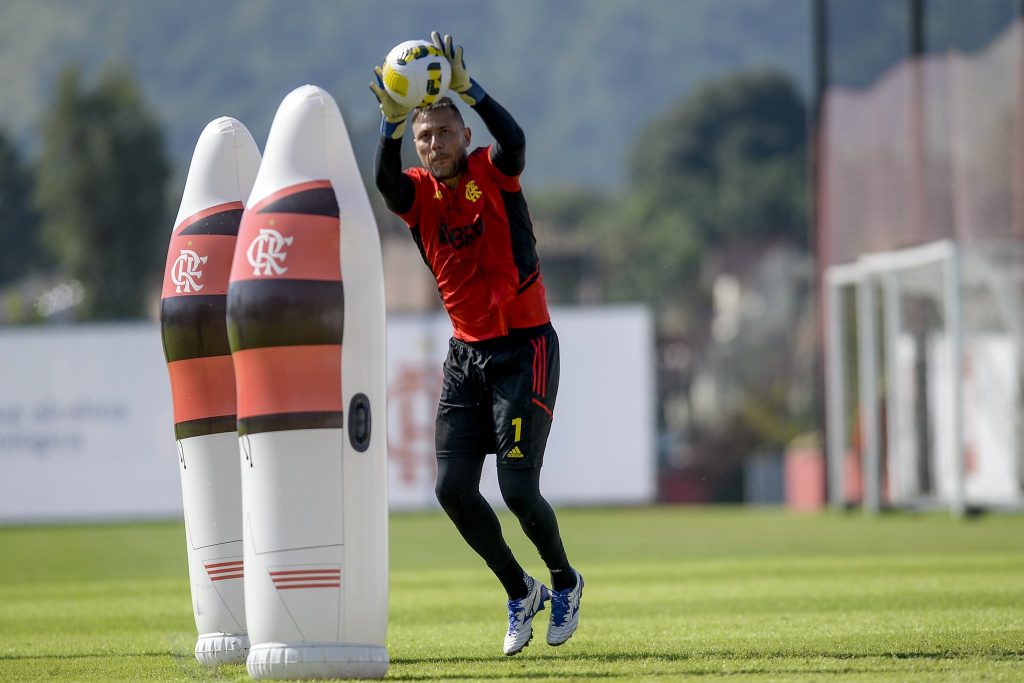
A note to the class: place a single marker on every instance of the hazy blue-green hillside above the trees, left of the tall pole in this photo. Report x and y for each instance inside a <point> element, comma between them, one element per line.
<point>583,77</point>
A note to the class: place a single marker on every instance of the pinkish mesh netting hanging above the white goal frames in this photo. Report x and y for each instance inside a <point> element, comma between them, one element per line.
<point>932,151</point>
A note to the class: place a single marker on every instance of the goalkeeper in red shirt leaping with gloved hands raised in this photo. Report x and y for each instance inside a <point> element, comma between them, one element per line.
<point>468,218</point>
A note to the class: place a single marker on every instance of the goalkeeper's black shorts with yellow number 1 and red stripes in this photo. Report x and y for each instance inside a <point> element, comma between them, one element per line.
<point>499,397</point>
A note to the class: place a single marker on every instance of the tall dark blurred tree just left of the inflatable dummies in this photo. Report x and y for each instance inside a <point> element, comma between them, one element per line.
<point>102,194</point>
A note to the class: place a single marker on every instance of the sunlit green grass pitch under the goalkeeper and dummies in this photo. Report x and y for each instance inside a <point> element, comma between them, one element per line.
<point>743,594</point>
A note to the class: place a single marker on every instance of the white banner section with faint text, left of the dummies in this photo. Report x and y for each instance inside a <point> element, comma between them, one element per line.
<point>86,424</point>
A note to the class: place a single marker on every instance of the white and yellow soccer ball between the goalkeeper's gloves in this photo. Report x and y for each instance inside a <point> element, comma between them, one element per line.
<point>416,73</point>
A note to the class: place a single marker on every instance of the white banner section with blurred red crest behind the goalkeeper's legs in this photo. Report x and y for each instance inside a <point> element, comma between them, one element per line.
<point>602,448</point>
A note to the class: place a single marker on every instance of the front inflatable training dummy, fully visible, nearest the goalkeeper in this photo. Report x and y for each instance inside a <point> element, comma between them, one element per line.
<point>306,318</point>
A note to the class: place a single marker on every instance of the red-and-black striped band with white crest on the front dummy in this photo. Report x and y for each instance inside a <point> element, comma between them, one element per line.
<point>286,313</point>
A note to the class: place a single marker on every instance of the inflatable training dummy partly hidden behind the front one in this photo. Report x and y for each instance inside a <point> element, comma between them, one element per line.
<point>199,360</point>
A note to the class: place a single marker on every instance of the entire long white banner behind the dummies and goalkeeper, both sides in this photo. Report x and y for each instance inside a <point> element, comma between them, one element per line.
<point>87,430</point>
